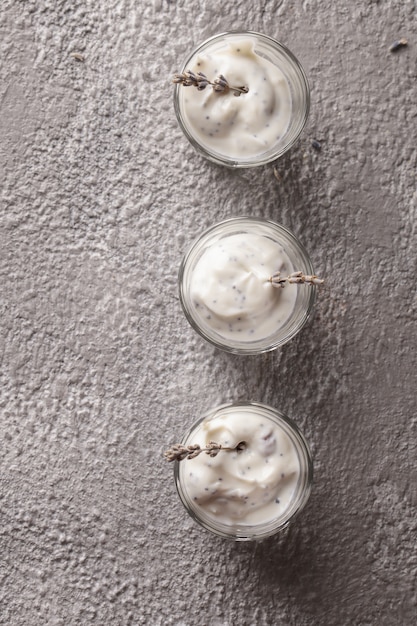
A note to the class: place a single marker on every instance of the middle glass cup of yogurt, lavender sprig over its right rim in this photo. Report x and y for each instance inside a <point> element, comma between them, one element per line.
<point>271,328</point>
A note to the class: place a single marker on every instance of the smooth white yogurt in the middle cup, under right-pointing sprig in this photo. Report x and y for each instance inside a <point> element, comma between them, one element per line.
<point>230,289</point>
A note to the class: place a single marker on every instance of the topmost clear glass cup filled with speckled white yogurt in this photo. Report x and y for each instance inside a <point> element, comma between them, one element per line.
<point>291,104</point>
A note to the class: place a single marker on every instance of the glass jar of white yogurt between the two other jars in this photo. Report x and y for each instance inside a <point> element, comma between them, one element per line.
<point>226,292</point>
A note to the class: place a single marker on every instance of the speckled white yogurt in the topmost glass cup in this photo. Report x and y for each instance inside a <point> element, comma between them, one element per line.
<point>248,125</point>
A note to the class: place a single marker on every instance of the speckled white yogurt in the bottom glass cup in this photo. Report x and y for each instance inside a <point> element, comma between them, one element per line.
<point>252,487</point>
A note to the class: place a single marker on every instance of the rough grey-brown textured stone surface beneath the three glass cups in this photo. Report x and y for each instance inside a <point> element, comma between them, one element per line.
<point>100,197</point>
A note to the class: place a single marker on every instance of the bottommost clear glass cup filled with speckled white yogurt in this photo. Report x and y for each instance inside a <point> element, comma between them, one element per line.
<point>266,503</point>
